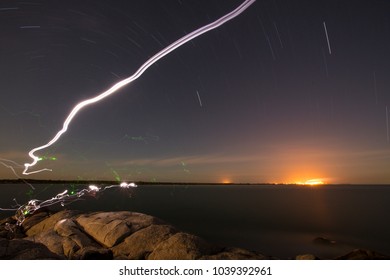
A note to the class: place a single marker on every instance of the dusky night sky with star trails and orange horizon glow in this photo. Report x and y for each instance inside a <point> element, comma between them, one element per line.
<point>288,91</point>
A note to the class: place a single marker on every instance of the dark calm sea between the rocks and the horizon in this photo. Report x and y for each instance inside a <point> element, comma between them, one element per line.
<point>279,221</point>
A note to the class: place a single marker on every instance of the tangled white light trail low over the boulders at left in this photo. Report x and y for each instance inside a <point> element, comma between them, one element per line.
<point>63,198</point>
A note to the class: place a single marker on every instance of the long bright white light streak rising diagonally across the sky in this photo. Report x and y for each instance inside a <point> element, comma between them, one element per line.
<point>130,79</point>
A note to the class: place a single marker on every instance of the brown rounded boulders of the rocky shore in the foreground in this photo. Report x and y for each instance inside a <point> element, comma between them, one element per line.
<point>120,235</point>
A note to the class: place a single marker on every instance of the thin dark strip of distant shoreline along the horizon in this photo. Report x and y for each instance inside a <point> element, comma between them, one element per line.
<point>87,182</point>
